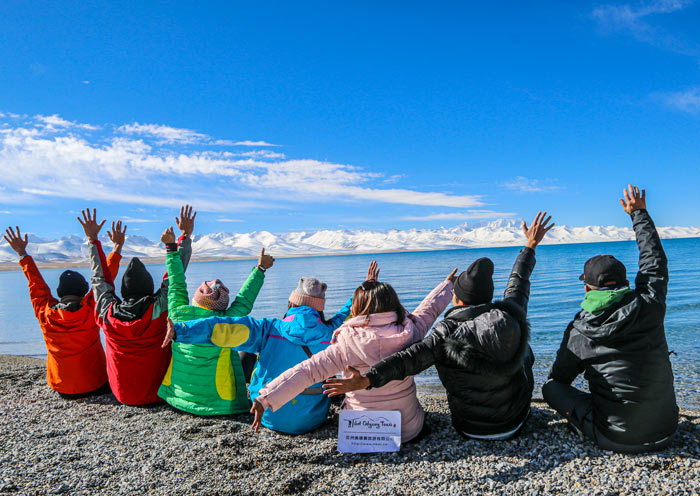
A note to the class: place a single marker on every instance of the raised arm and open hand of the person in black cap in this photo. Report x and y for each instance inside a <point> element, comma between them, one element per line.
<point>652,279</point>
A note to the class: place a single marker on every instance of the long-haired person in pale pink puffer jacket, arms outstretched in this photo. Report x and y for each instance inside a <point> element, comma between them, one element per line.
<point>380,326</point>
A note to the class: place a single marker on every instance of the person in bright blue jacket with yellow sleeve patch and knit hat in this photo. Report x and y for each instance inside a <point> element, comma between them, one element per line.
<point>280,344</point>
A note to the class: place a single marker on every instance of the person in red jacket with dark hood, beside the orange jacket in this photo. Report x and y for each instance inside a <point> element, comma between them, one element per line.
<point>135,325</point>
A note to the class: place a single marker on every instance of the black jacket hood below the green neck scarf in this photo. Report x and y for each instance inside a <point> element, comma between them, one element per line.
<point>613,321</point>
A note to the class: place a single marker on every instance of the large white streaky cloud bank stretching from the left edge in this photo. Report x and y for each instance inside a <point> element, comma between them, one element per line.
<point>69,162</point>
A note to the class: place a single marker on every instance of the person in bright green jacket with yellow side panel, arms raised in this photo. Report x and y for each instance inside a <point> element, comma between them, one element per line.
<point>206,379</point>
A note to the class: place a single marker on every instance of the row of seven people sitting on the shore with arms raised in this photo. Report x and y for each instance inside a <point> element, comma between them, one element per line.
<point>200,356</point>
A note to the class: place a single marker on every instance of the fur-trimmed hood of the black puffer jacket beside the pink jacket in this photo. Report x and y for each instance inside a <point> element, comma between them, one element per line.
<point>489,338</point>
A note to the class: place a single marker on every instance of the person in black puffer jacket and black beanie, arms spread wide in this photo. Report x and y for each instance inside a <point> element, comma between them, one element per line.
<point>480,350</point>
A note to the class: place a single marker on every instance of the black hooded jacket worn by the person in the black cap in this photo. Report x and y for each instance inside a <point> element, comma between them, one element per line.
<point>624,354</point>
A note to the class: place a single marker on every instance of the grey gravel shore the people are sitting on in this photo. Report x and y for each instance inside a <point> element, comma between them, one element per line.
<point>97,446</point>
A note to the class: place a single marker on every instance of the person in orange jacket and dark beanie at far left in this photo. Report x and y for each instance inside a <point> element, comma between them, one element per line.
<point>75,361</point>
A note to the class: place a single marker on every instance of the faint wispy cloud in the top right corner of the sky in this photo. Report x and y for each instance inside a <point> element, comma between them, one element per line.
<point>637,20</point>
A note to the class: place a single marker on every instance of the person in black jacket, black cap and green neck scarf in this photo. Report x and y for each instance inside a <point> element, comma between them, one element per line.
<point>618,341</point>
